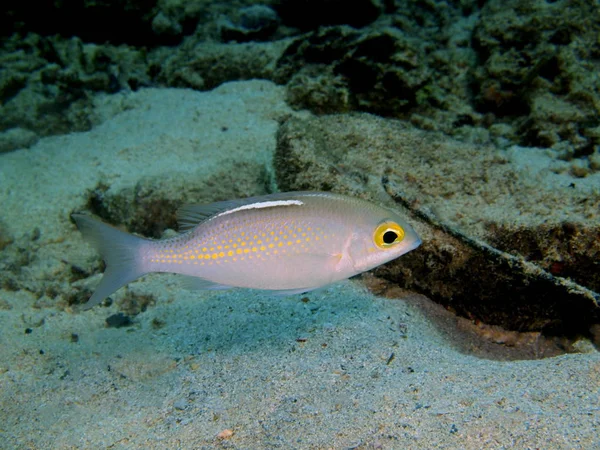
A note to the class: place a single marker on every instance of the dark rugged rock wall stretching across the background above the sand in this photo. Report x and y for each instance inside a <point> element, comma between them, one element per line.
<point>491,73</point>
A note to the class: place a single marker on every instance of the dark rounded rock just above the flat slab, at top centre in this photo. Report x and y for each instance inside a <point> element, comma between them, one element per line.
<point>379,70</point>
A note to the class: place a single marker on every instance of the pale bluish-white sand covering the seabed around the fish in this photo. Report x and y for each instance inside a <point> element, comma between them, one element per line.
<point>338,368</point>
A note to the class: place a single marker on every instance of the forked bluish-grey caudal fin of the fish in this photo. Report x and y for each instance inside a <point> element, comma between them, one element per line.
<point>120,252</point>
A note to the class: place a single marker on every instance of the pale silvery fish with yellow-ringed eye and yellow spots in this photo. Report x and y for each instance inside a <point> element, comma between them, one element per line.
<point>287,243</point>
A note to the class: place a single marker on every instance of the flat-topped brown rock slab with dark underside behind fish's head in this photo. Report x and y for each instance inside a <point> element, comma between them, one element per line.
<point>464,195</point>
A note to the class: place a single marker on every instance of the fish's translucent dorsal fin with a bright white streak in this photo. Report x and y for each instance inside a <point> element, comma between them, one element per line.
<point>188,216</point>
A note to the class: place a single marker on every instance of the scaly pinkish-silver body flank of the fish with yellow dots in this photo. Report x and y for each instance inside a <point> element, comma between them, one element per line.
<point>255,244</point>
